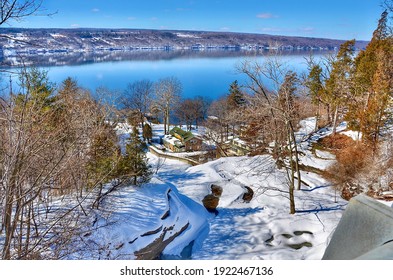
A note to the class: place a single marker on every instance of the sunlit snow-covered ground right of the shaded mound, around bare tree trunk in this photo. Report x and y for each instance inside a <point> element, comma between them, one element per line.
<point>263,228</point>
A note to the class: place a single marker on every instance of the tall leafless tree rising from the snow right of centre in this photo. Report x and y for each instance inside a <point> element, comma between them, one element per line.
<point>277,107</point>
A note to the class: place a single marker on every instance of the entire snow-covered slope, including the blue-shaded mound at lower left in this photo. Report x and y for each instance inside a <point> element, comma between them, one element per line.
<point>260,229</point>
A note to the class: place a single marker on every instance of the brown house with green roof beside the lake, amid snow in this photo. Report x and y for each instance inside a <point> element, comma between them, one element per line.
<point>182,141</point>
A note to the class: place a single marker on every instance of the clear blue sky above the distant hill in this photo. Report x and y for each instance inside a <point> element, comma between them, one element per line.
<point>338,19</point>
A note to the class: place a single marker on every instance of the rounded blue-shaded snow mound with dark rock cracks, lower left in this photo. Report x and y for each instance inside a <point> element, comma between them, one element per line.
<point>131,219</point>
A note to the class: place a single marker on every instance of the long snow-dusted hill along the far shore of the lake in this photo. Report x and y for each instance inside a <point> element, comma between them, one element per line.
<point>18,42</point>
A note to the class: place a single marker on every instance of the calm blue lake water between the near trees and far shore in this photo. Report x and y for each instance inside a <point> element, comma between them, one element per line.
<point>199,75</point>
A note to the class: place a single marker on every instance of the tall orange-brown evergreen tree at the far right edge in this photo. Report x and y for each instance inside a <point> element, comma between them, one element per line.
<point>373,78</point>
